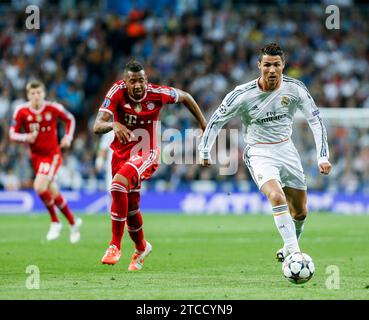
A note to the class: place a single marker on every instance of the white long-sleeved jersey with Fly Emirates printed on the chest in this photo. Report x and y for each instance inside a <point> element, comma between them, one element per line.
<point>267,115</point>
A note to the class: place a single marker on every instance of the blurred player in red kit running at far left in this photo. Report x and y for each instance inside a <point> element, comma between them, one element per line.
<point>38,119</point>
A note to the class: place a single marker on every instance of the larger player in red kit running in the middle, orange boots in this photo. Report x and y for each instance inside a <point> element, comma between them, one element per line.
<point>131,109</point>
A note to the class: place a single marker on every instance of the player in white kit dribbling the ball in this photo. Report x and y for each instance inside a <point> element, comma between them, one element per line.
<point>266,106</point>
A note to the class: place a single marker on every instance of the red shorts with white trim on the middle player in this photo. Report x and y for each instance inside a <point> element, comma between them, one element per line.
<point>136,168</point>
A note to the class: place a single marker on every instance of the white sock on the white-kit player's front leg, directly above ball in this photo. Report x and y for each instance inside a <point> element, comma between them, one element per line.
<point>286,228</point>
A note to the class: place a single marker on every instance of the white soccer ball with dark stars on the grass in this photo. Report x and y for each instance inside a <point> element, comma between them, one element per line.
<point>298,268</point>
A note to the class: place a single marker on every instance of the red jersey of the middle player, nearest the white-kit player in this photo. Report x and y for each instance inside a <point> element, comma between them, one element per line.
<point>139,116</point>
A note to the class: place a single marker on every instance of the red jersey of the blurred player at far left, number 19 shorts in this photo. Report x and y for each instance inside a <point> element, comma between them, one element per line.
<point>43,120</point>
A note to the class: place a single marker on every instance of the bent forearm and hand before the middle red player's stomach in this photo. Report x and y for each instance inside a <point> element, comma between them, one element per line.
<point>104,125</point>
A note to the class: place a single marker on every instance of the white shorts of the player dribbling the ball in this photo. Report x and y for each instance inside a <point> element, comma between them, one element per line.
<point>279,161</point>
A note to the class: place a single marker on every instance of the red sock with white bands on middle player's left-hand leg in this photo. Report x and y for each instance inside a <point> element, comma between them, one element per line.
<point>119,209</point>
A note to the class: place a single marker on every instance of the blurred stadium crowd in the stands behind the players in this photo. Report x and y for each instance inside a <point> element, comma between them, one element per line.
<point>203,47</point>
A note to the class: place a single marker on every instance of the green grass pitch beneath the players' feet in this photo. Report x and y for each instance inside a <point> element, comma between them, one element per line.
<point>194,257</point>
